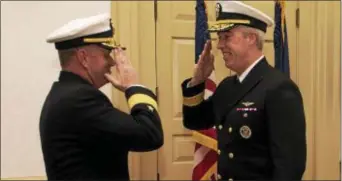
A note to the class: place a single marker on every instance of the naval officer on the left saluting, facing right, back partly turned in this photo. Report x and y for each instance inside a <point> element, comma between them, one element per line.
<point>83,136</point>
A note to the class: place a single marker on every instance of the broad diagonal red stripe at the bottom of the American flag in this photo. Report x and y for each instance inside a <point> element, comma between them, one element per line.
<point>201,168</point>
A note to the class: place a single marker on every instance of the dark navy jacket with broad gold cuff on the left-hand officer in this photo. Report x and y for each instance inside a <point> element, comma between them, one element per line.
<point>84,137</point>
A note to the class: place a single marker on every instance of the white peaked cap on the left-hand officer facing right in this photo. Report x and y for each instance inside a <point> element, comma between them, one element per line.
<point>96,29</point>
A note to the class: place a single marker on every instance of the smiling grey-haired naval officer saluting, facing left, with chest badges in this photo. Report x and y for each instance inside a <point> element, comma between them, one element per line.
<point>258,113</point>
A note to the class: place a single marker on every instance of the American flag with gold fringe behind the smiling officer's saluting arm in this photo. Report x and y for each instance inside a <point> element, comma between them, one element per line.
<point>205,154</point>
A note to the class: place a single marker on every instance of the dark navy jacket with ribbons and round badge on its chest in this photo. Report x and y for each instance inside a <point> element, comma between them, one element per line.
<point>260,124</point>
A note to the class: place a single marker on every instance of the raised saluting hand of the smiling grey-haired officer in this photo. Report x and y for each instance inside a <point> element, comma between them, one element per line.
<point>205,65</point>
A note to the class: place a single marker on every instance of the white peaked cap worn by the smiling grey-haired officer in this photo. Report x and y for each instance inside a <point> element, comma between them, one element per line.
<point>229,14</point>
